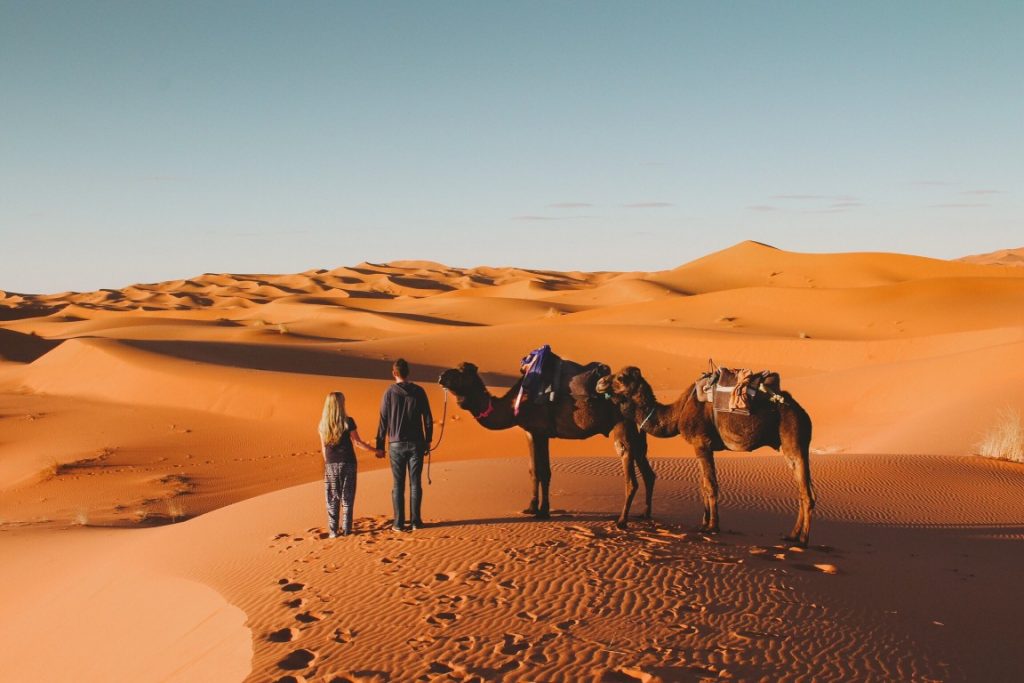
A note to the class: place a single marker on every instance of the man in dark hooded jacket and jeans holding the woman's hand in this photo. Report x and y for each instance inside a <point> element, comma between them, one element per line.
<point>407,423</point>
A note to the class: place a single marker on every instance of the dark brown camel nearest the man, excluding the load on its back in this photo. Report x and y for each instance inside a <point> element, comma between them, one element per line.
<point>567,417</point>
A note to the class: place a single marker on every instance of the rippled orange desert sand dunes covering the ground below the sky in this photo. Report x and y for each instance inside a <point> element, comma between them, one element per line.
<point>123,411</point>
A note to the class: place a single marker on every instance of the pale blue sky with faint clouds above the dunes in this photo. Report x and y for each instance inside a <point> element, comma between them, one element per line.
<point>152,141</point>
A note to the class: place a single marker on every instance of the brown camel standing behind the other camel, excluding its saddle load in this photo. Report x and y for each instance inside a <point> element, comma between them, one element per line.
<point>783,425</point>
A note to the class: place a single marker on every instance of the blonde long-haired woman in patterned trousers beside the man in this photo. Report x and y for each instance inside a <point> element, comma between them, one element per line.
<point>338,433</point>
